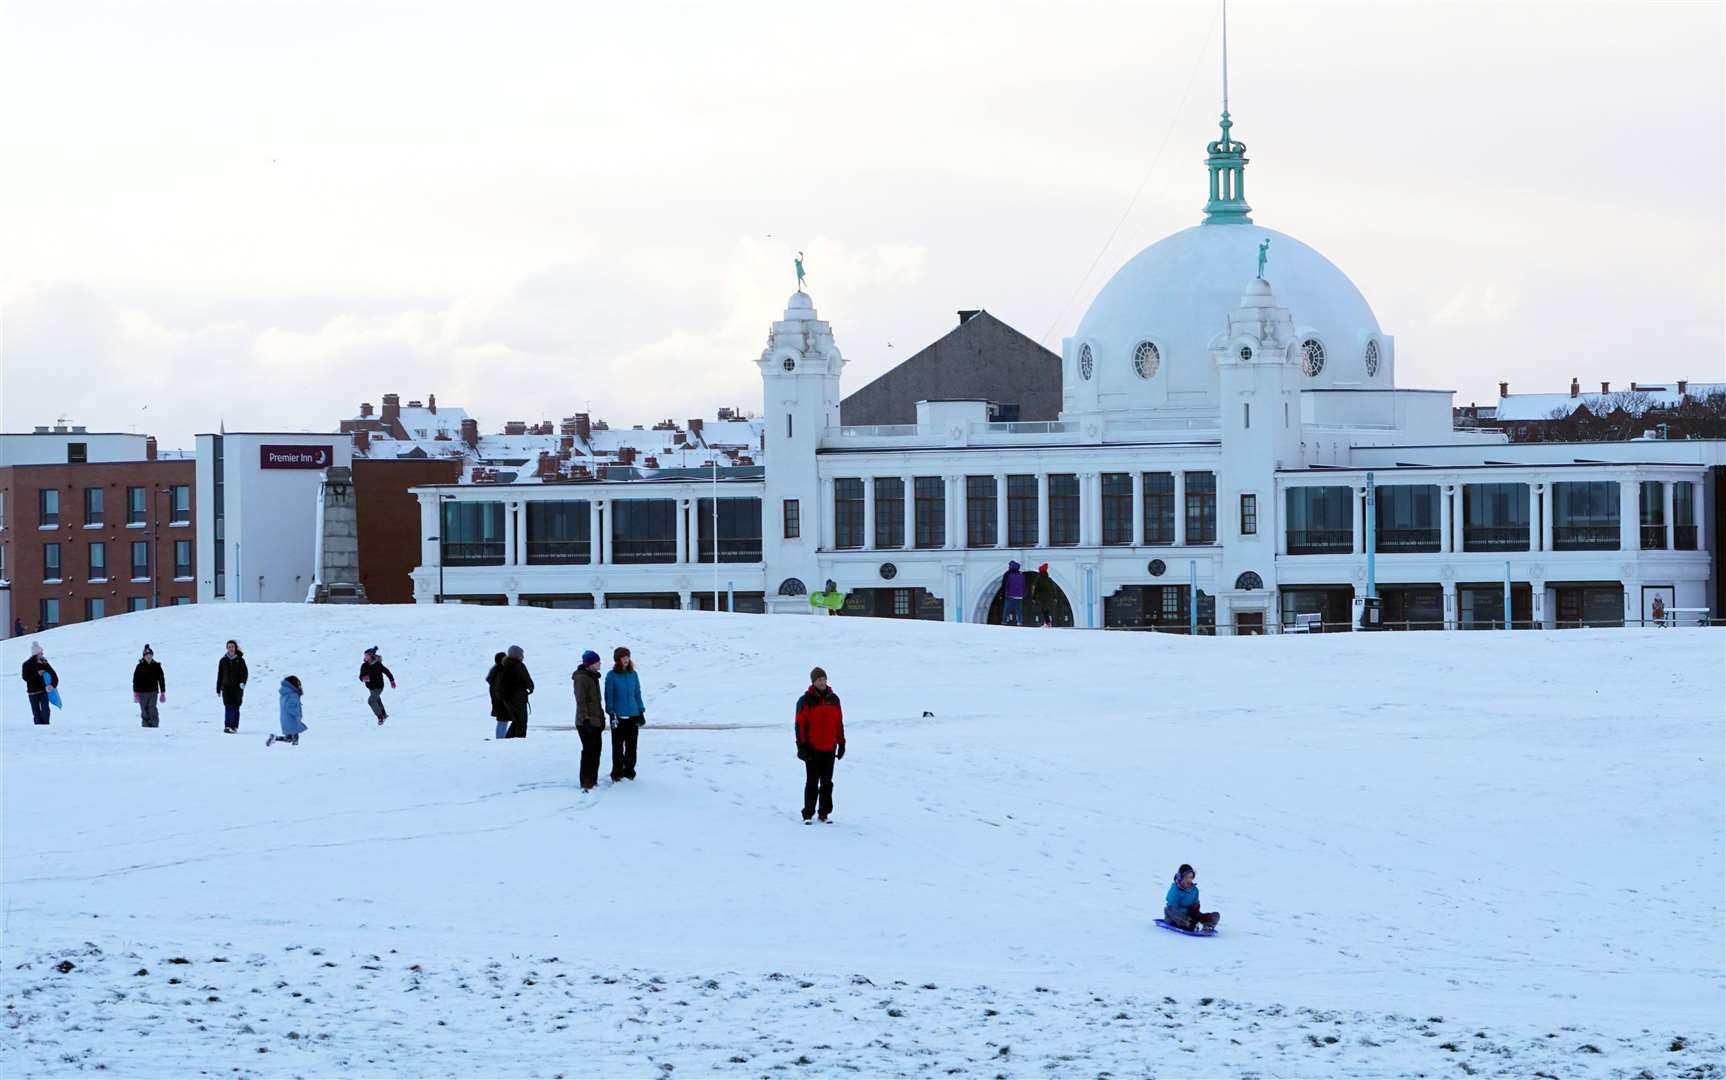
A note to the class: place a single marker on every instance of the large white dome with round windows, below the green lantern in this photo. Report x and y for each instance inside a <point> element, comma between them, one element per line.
<point>1178,294</point>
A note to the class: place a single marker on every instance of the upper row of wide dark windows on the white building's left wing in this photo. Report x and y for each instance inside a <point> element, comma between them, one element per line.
<point>641,531</point>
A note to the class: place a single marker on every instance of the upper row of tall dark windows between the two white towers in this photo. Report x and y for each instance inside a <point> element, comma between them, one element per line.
<point>1023,510</point>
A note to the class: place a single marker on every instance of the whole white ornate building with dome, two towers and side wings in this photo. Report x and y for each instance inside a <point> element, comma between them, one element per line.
<point>1228,444</point>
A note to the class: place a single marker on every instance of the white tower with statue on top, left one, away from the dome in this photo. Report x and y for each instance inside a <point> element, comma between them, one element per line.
<point>800,401</point>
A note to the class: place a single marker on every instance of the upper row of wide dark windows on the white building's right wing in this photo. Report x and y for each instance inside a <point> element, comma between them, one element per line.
<point>1496,517</point>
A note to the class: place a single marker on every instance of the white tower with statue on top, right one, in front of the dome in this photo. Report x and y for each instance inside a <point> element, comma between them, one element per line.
<point>1259,399</point>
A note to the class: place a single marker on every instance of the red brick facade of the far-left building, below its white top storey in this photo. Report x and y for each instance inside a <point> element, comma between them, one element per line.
<point>25,537</point>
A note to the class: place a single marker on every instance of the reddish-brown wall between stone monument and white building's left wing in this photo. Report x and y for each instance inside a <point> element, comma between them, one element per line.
<point>389,524</point>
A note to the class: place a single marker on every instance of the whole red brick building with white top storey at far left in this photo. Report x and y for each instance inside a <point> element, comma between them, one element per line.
<point>92,525</point>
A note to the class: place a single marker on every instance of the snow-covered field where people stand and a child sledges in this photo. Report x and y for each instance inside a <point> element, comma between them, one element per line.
<point>1440,855</point>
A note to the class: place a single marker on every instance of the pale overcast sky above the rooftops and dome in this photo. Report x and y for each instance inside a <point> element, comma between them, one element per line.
<point>261,215</point>
